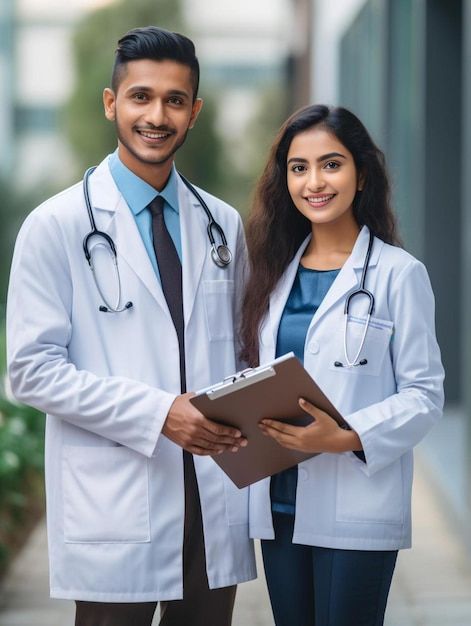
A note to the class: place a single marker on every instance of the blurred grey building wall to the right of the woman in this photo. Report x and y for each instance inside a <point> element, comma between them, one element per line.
<point>404,67</point>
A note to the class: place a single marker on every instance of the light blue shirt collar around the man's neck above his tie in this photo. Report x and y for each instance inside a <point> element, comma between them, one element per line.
<point>137,193</point>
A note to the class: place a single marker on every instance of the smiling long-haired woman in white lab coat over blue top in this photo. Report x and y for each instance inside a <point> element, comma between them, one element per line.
<point>331,528</point>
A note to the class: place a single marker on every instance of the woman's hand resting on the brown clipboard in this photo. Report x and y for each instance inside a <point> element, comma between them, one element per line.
<point>322,435</point>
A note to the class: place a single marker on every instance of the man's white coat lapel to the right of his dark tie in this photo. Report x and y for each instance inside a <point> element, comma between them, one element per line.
<point>194,245</point>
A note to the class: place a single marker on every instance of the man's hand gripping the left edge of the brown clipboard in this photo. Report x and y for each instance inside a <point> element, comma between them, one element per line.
<point>190,429</point>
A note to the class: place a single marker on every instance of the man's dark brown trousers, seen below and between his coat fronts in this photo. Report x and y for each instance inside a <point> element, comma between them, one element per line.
<point>200,606</point>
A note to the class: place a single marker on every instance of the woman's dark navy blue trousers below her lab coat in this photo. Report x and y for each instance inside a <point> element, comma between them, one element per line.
<point>310,586</point>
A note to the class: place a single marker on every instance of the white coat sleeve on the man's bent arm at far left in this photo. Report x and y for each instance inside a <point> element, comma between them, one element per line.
<point>38,332</point>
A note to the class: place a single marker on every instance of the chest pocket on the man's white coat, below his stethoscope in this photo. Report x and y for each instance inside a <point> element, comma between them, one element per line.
<point>218,305</point>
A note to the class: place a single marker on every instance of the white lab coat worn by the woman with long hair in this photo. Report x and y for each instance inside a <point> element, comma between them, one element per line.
<point>392,402</point>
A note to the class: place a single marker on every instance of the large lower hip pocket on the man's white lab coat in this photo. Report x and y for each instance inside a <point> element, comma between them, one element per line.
<point>106,496</point>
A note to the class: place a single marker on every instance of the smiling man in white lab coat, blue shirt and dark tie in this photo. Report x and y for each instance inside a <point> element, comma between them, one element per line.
<point>109,353</point>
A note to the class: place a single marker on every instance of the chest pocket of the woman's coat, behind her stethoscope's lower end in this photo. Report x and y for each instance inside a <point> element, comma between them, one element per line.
<point>374,349</point>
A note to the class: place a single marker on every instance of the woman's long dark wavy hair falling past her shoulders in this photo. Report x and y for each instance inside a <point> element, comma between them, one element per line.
<point>276,229</point>
